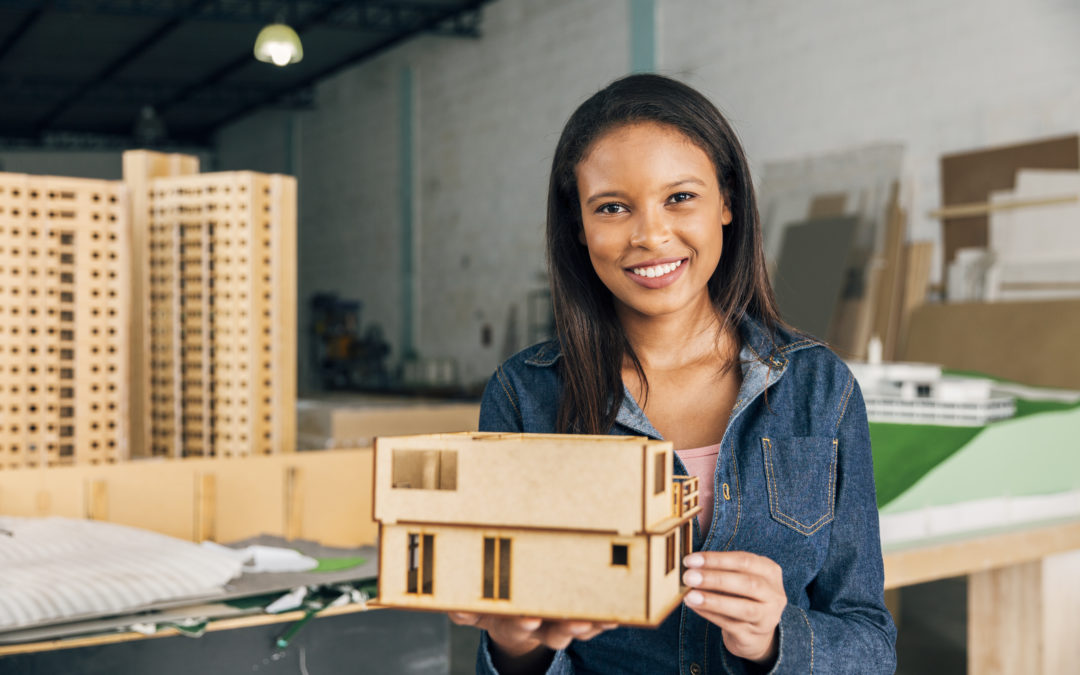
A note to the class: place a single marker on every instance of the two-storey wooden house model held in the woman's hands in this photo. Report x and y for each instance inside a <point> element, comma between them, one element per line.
<point>543,525</point>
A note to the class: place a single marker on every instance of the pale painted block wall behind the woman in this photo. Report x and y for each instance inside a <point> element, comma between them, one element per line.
<point>796,79</point>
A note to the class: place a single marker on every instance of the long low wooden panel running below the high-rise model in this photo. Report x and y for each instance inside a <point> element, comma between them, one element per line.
<point>249,496</point>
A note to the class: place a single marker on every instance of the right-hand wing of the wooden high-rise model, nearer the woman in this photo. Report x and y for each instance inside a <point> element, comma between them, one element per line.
<point>221,300</point>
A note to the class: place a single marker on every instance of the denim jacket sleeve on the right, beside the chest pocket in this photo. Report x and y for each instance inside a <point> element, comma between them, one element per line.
<point>847,629</point>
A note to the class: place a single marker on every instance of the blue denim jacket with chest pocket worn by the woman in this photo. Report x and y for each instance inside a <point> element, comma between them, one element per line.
<point>794,482</point>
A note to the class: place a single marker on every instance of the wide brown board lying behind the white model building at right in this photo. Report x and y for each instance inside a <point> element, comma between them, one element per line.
<point>1030,343</point>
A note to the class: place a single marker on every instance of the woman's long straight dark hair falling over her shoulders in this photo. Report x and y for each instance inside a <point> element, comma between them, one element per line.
<point>591,337</point>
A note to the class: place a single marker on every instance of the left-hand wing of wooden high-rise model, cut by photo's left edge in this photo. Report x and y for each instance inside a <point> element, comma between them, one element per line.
<point>63,318</point>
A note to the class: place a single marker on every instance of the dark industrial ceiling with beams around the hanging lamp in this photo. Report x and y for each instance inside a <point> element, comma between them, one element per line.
<point>83,72</point>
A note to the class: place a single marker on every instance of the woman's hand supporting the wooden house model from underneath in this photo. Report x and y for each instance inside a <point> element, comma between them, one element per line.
<point>523,642</point>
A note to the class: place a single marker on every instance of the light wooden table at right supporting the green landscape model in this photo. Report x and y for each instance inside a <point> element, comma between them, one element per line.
<point>1023,593</point>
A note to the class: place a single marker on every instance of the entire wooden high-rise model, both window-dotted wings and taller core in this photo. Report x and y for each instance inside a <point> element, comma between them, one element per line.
<point>151,317</point>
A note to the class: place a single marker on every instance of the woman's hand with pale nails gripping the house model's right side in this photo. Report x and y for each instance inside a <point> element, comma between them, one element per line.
<point>744,595</point>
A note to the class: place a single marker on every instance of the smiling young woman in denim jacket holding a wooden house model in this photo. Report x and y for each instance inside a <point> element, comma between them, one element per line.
<point>668,329</point>
